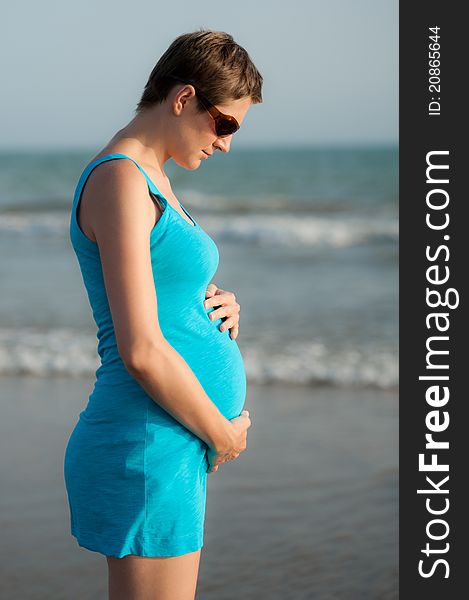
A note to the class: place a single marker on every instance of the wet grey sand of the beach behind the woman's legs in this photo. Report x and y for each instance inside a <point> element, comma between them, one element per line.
<point>309,511</point>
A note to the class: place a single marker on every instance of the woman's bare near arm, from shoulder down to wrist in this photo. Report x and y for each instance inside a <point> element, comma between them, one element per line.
<point>121,215</point>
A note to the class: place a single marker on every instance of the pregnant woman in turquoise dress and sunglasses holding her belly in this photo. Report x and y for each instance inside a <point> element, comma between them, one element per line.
<point>166,407</point>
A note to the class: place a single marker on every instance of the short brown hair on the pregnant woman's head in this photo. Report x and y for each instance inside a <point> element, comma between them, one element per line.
<point>213,62</point>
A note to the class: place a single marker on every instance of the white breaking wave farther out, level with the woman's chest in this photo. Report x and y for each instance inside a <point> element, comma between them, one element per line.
<point>285,230</point>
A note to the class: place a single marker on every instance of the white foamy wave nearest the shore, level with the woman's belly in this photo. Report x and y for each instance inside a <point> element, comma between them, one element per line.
<point>68,352</point>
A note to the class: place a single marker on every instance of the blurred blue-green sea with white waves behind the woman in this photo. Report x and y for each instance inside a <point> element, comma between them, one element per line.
<point>308,242</point>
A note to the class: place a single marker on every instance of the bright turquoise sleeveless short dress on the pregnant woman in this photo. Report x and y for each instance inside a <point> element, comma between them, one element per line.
<point>135,476</point>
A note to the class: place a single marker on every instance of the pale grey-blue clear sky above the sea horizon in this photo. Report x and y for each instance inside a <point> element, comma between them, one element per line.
<point>72,72</point>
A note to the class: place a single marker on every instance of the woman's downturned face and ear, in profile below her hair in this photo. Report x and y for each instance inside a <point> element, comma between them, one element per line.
<point>195,132</point>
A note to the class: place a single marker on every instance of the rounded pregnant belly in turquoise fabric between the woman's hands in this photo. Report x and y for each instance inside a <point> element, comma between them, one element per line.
<point>214,358</point>
